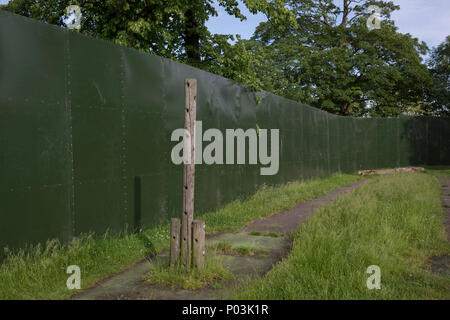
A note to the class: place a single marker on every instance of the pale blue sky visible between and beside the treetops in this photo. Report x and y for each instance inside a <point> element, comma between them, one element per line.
<point>428,20</point>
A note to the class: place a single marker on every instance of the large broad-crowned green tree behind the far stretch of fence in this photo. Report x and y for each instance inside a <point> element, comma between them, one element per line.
<point>333,61</point>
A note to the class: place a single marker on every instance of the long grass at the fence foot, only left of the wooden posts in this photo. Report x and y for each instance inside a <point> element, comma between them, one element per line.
<point>40,272</point>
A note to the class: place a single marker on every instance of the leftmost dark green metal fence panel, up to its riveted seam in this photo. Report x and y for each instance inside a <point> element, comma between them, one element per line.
<point>35,150</point>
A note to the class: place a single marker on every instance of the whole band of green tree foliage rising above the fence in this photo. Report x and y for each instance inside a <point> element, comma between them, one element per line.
<point>314,51</point>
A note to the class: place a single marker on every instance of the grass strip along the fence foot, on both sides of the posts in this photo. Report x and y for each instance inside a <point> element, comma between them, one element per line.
<point>40,272</point>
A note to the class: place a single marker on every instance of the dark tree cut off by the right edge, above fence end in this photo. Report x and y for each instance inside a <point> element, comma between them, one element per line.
<point>439,65</point>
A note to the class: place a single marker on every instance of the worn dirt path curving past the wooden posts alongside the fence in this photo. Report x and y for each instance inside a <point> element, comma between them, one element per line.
<point>128,284</point>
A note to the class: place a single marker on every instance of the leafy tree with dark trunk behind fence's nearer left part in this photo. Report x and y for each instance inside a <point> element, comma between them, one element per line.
<point>174,29</point>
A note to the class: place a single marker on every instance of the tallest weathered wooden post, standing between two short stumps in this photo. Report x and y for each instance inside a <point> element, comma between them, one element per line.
<point>190,95</point>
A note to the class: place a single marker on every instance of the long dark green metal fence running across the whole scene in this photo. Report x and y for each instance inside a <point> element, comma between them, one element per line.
<point>85,136</point>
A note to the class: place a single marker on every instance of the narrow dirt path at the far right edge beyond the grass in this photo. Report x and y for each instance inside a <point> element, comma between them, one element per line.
<point>441,264</point>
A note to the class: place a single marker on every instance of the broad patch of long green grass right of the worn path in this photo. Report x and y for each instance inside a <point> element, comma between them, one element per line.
<point>393,221</point>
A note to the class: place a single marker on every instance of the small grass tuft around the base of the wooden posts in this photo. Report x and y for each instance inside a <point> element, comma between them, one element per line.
<point>180,278</point>
